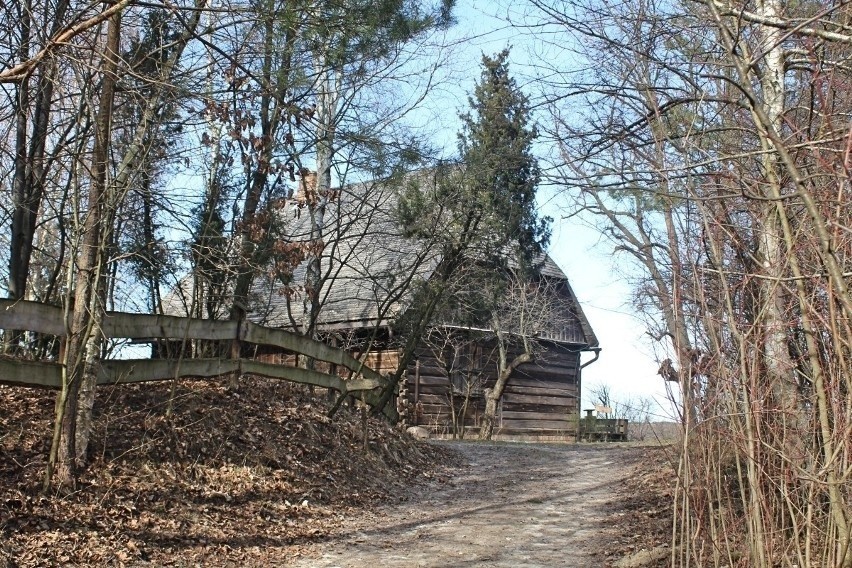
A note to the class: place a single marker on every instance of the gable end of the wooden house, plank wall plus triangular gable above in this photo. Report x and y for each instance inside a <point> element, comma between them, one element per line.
<point>454,367</point>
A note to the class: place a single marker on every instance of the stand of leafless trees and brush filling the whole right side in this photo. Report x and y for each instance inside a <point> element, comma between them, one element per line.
<point>711,141</point>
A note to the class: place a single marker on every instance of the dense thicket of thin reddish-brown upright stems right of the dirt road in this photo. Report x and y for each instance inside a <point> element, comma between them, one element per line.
<point>765,466</point>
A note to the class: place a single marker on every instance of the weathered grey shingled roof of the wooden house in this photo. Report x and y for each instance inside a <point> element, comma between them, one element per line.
<point>367,263</point>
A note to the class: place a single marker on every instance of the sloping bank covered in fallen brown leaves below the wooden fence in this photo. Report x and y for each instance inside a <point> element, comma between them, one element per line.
<point>247,476</point>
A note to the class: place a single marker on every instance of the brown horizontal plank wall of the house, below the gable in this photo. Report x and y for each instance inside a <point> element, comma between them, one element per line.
<point>541,398</point>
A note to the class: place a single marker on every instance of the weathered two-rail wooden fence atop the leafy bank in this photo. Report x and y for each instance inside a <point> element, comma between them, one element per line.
<point>49,320</point>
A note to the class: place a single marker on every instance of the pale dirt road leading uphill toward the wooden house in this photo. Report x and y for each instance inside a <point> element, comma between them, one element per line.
<point>513,505</point>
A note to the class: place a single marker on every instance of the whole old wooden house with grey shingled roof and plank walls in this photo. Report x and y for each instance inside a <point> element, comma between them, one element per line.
<point>367,270</point>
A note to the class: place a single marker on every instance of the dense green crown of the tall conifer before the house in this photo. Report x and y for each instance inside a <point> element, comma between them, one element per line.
<point>483,209</point>
